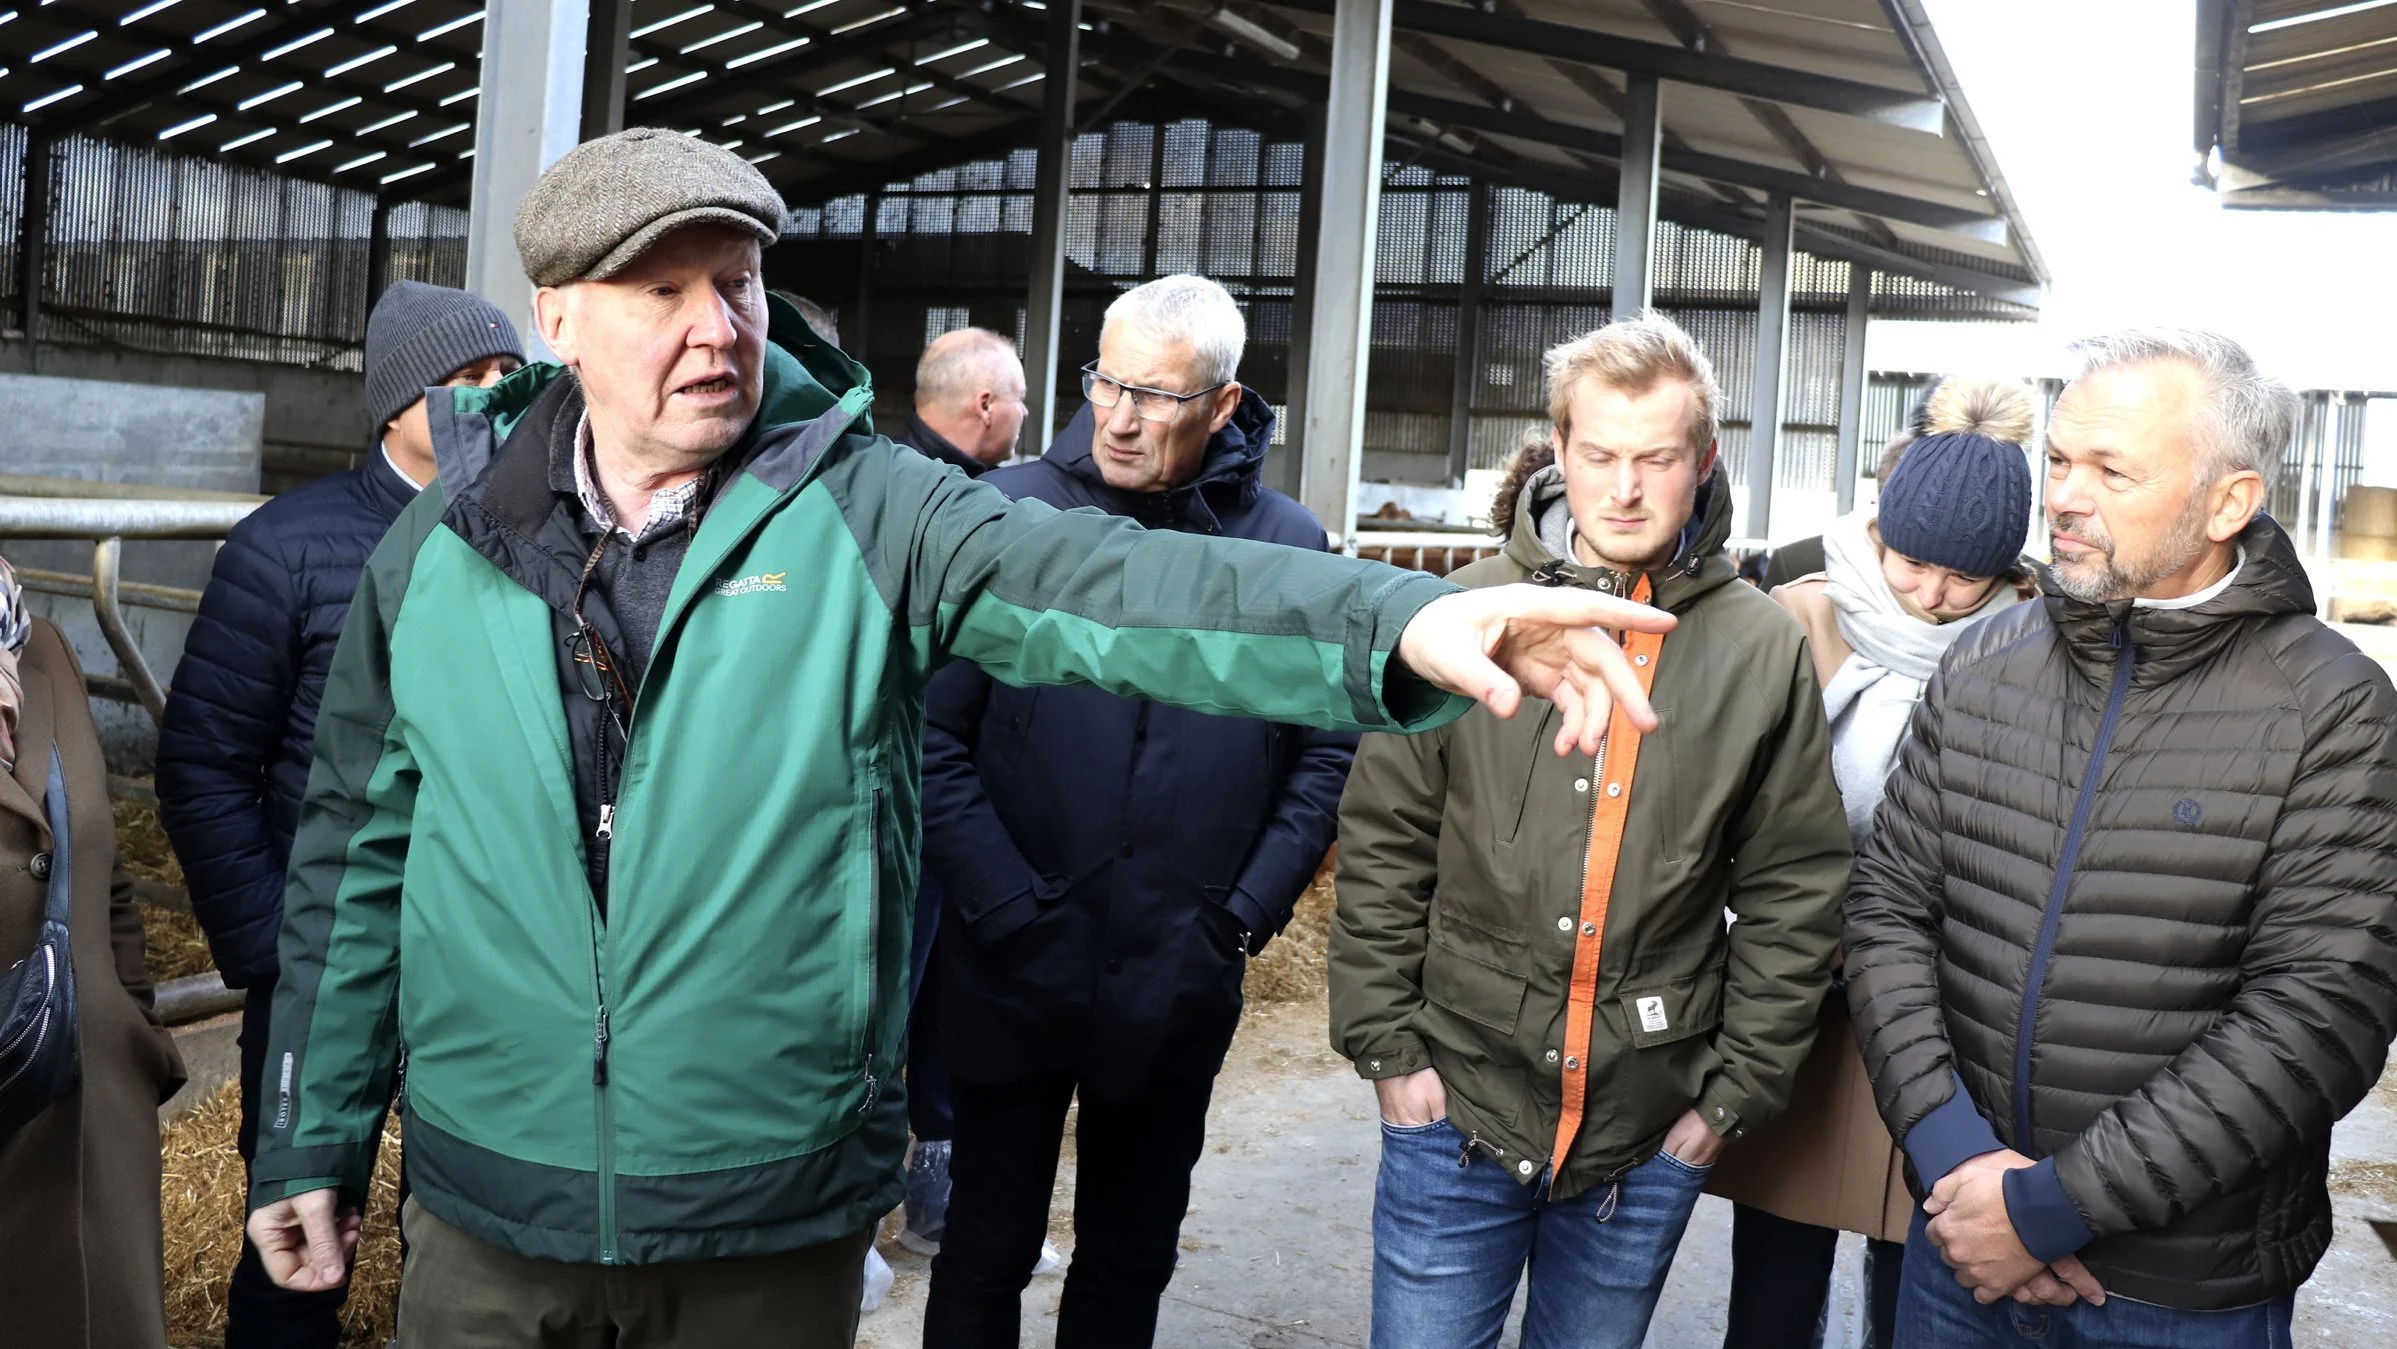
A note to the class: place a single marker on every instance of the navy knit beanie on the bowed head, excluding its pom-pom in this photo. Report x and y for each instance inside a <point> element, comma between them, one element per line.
<point>1960,502</point>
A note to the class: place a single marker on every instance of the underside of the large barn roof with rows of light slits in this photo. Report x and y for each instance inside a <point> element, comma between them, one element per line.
<point>1844,104</point>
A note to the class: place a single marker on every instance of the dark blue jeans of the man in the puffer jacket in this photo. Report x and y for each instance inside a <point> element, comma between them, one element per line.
<point>1936,1312</point>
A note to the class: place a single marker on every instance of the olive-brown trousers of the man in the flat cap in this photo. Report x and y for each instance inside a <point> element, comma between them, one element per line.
<point>459,1293</point>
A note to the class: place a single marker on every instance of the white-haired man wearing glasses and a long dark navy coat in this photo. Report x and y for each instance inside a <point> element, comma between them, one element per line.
<point>1111,864</point>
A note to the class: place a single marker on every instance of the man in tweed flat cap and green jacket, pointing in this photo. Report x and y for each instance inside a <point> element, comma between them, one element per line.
<point>622,761</point>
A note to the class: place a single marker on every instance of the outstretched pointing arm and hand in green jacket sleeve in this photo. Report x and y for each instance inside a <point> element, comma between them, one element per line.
<point>1037,595</point>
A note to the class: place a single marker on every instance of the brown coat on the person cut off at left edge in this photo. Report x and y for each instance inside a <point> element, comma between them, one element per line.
<point>80,1247</point>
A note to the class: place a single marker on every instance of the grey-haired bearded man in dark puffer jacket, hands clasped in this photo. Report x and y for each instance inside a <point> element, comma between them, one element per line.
<point>2120,945</point>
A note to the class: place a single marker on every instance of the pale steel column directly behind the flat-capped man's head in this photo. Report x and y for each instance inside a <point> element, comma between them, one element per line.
<point>529,114</point>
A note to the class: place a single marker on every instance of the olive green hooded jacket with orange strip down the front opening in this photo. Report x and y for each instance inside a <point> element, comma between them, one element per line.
<point>1466,852</point>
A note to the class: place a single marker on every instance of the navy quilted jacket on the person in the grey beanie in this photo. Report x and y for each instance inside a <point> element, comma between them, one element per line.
<point>241,722</point>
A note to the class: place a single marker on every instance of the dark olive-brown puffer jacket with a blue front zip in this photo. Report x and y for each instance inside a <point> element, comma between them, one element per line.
<point>2137,888</point>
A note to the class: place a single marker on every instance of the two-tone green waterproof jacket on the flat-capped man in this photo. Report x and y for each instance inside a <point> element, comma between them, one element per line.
<point>708,1065</point>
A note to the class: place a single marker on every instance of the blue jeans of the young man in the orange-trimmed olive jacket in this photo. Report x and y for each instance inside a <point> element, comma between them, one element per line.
<point>1451,1245</point>
